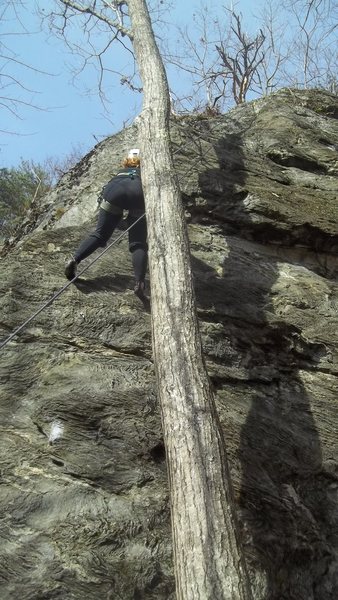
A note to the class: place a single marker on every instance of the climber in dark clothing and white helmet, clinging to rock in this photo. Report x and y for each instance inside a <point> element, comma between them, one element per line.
<point>122,192</point>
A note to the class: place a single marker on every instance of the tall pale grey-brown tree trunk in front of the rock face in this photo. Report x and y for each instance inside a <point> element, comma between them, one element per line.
<point>207,556</point>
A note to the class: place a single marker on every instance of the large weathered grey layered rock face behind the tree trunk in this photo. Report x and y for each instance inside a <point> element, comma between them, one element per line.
<point>84,499</point>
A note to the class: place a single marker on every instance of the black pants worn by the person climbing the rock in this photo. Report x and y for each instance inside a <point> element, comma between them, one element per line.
<point>106,224</point>
